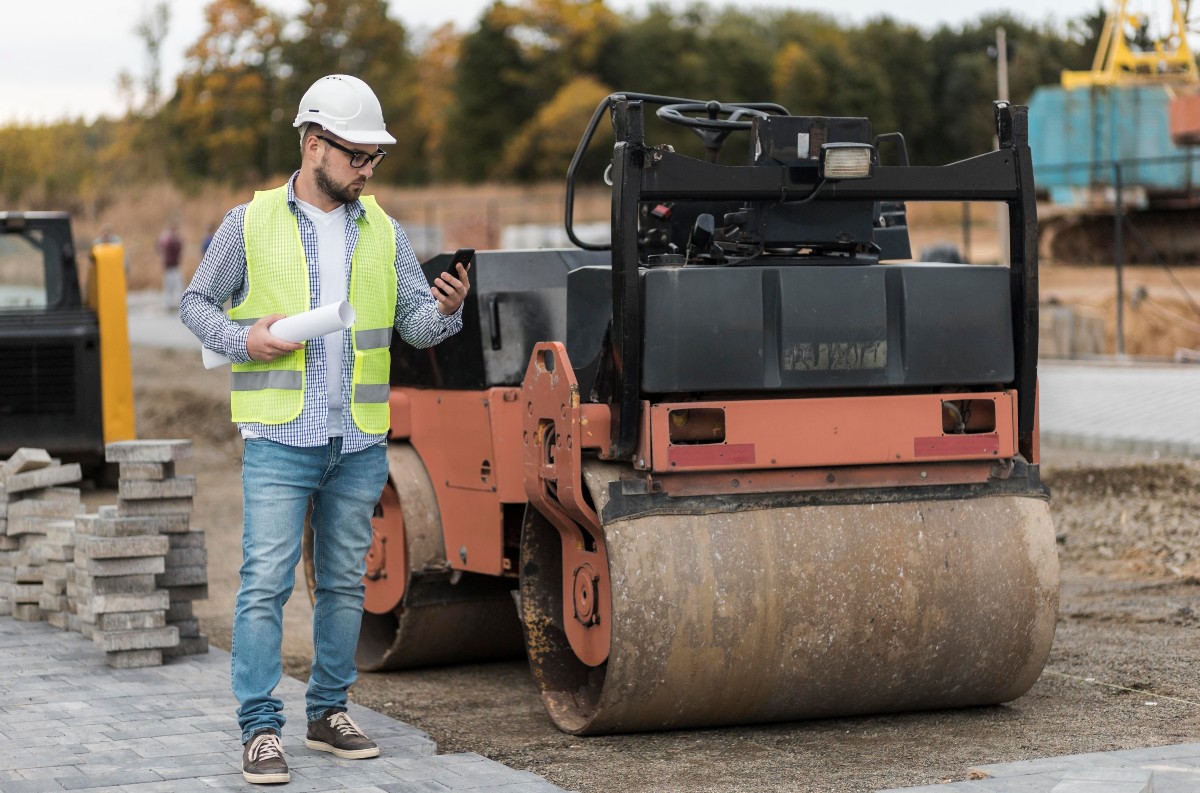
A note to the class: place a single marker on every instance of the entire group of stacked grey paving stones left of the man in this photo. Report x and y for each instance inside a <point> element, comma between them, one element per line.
<point>125,576</point>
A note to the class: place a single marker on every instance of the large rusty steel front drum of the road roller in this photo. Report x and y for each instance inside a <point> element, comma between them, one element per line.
<point>799,612</point>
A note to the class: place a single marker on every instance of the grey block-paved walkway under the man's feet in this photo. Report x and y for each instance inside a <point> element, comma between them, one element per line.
<point>70,723</point>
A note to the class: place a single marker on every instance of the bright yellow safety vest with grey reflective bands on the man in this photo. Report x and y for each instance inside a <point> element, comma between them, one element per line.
<point>278,279</point>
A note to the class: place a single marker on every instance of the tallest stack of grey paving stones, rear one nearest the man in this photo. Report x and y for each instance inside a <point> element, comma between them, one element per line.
<point>153,492</point>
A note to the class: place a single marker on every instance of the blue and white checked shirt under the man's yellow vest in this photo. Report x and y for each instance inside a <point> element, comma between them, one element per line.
<point>223,275</point>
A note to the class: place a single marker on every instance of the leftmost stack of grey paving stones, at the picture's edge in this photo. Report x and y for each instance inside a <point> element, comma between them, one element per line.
<point>37,520</point>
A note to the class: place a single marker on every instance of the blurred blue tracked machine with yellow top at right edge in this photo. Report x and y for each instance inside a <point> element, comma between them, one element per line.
<point>1125,131</point>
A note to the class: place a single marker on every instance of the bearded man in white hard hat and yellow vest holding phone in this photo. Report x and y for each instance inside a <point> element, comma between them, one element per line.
<point>314,416</point>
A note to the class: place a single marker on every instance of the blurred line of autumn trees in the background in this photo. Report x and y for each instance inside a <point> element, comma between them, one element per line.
<point>508,99</point>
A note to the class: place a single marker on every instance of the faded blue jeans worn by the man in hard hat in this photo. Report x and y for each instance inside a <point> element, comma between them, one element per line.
<point>279,483</point>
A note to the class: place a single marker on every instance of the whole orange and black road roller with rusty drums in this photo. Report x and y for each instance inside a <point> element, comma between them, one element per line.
<point>743,461</point>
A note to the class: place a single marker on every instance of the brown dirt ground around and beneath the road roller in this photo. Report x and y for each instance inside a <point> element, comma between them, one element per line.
<point>1124,674</point>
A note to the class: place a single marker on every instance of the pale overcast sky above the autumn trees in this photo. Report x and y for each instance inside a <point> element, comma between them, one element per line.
<point>62,59</point>
